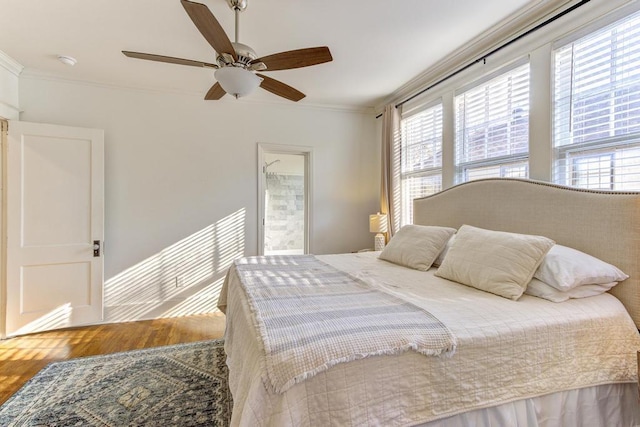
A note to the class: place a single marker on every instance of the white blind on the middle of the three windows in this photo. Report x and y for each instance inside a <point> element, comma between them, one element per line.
<point>492,127</point>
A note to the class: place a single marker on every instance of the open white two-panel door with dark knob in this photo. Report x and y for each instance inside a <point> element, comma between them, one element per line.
<point>54,208</point>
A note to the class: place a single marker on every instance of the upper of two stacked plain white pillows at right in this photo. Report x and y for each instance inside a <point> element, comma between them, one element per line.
<point>566,268</point>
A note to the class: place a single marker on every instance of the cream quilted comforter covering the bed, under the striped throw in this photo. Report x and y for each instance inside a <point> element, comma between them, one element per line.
<point>507,350</point>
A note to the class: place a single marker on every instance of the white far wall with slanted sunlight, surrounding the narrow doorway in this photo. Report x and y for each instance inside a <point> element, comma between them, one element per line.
<point>181,184</point>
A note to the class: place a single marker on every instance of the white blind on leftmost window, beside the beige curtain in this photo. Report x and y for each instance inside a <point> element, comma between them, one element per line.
<point>421,158</point>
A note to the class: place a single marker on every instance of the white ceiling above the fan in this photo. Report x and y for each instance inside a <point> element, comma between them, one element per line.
<point>377,45</point>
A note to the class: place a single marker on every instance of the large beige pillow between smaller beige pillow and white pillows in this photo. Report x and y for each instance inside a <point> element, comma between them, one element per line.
<point>494,261</point>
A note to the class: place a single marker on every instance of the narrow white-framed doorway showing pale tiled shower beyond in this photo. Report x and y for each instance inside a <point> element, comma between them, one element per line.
<point>284,200</point>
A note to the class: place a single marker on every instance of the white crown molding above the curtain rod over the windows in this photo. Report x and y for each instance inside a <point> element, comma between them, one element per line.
<point>507,29</point>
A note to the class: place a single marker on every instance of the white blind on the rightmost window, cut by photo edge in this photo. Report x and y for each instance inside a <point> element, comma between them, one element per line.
<point>596,116</point>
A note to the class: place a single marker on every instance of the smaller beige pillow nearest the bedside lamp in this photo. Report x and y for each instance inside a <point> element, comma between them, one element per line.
<point>416,246</point>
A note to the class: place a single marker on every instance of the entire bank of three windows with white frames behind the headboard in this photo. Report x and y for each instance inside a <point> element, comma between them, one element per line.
<point>585,125</point>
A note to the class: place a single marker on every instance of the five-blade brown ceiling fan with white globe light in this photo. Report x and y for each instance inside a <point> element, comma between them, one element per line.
<point>237,65</point>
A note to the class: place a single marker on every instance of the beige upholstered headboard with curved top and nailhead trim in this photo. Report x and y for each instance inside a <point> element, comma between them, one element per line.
<point>601,223</point>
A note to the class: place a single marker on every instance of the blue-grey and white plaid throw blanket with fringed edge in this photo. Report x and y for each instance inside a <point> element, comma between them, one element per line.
<point>311,316</point>
